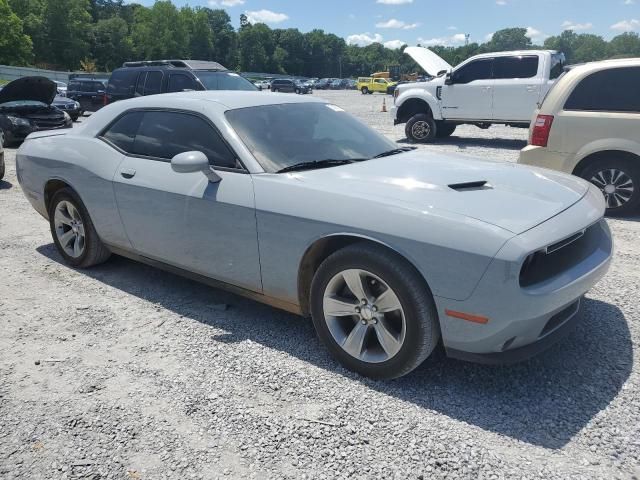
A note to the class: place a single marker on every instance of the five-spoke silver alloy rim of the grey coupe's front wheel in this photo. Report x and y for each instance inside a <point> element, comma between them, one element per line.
<point>364,316</point>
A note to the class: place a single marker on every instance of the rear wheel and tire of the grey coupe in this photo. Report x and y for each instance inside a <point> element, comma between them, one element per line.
<point>67,207</point>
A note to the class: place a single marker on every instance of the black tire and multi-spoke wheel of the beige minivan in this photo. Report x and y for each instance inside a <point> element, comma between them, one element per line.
<point>617,175</point>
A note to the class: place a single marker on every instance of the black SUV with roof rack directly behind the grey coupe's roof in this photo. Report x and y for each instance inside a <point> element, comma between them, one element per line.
<point>135,79</point>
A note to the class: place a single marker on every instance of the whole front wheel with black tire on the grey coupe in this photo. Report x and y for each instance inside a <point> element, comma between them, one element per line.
<point>414,326</point>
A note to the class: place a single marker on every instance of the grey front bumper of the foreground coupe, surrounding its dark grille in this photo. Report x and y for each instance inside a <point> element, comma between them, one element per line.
<point>523,320</point>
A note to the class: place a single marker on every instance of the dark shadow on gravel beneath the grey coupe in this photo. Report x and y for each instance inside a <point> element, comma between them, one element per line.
<point>544,401</point>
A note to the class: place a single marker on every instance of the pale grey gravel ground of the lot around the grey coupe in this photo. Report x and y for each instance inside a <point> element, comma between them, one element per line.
<point>124,371</point>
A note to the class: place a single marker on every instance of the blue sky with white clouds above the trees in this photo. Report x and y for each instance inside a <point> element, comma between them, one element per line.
<point>434,22</point>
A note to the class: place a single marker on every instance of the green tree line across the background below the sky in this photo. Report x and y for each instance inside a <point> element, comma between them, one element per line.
<point>102,34</point>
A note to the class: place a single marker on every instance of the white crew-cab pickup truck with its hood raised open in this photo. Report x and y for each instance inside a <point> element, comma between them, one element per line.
<point>501,87</point>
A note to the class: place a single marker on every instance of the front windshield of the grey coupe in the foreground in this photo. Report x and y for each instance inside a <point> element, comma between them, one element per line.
<point>280,136</point>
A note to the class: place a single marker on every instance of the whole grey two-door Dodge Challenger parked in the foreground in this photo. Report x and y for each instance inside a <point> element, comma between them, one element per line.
<point>293,202</point>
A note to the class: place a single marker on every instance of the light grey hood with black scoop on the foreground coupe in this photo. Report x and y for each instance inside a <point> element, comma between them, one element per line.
<point>514,197</point>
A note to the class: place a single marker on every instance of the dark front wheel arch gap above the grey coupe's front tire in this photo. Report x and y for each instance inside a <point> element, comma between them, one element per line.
<point>323,247</point>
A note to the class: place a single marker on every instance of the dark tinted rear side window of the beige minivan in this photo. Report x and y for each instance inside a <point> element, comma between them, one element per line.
<point>613,90</point>
